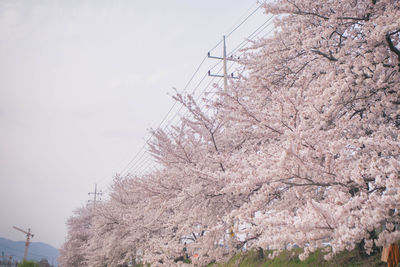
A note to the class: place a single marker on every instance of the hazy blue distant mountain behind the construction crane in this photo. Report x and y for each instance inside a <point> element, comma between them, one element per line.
<point>36,251</point>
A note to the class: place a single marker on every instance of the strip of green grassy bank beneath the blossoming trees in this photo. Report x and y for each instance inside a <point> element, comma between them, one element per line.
<point>354,258</point>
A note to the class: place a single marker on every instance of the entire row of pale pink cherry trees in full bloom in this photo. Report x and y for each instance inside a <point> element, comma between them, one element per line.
<point>303,149</point>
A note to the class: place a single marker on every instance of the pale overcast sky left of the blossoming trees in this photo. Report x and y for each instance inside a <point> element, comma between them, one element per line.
<point>80,83</point>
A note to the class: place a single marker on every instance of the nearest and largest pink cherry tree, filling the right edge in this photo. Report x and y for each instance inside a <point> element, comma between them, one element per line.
<point>325,89</point>
